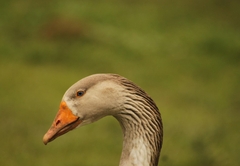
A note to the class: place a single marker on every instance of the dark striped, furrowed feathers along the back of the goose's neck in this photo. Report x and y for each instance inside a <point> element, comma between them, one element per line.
<point>142,112</point>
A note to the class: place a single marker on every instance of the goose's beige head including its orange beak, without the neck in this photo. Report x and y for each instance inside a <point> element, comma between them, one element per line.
<point>87,101</point>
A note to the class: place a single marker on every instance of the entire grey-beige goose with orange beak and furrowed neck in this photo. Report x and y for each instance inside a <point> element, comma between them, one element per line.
<point>100,95</point>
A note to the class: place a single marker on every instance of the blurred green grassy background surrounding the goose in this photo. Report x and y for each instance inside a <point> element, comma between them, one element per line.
<point>185,54</point>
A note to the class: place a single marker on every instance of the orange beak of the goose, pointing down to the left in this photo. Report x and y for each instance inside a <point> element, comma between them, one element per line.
<point>63,122</point>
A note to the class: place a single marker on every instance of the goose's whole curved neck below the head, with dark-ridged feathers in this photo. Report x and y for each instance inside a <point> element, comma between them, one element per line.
<point>142,128</point>
